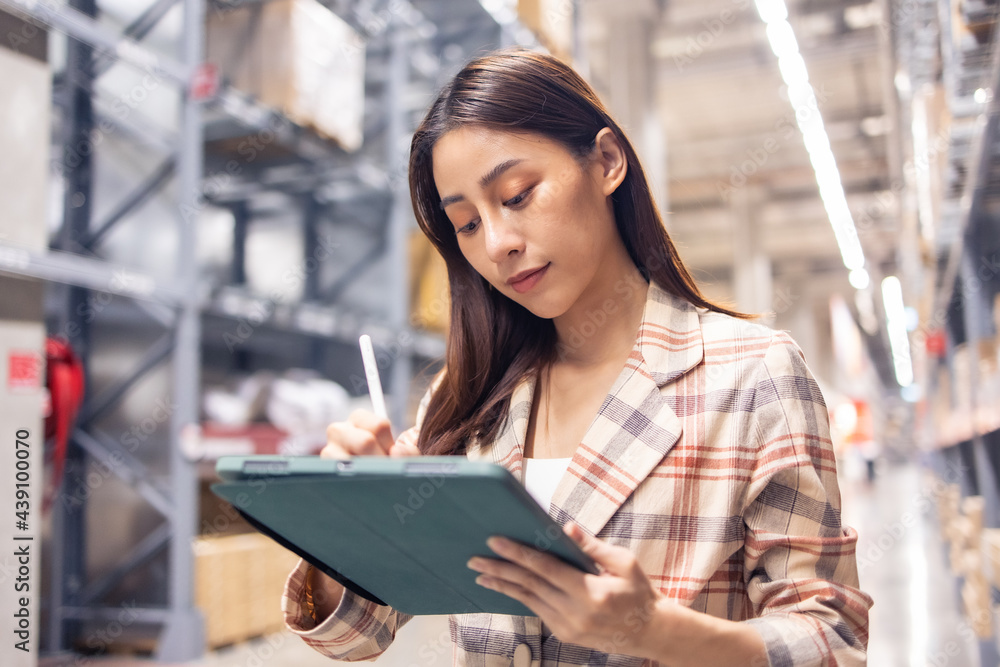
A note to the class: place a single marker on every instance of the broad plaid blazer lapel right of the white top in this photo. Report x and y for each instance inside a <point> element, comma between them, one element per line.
<point>635,427</point>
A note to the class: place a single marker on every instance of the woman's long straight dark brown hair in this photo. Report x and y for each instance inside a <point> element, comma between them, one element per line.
<point>493,343</point>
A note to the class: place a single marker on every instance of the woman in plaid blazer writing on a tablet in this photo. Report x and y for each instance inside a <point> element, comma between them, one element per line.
<point>684,448</point>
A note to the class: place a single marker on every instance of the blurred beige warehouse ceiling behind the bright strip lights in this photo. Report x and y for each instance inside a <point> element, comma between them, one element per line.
<point>731,134</point>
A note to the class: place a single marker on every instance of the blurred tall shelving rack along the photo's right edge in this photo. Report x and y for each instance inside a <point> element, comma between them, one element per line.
<point>957,294</point>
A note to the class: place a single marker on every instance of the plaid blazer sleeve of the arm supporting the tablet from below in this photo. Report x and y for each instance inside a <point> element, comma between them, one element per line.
<point>802,575</point>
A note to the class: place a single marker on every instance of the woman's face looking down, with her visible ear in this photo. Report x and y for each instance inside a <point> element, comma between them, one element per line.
<point>533,221</point>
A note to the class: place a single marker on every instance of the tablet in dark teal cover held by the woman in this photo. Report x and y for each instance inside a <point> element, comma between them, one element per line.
<point>396,531</point>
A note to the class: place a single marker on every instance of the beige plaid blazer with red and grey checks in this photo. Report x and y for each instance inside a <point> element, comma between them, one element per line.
<point>711,460</point>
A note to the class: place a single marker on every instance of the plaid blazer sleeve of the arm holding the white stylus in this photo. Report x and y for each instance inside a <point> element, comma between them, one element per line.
<point>358,629</point>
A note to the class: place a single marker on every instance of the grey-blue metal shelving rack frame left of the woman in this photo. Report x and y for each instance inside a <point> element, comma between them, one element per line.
<point>411,35</point>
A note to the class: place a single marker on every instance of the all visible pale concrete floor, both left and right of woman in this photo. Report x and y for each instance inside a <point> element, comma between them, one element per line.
<point>916,620</point>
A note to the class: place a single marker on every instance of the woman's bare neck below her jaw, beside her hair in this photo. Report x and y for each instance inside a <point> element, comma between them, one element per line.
<point>602,325</point>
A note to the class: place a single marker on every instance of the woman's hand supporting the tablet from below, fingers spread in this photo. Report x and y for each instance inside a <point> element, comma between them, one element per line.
<point>608,612</point>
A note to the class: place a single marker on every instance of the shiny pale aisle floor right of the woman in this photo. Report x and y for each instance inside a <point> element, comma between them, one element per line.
<point>903,565</point>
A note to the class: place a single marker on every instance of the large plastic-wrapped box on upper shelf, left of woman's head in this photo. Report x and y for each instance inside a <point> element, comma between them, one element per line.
<point>296,56</point>
